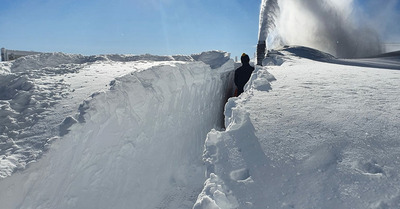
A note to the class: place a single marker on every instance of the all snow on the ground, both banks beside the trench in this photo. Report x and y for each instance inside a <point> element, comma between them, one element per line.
<point>133,131</point>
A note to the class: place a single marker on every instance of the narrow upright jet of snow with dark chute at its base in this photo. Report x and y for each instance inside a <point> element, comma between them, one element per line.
<point>268,13</point>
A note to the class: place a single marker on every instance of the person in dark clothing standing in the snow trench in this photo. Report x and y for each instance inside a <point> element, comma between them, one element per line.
<point>243,73</point>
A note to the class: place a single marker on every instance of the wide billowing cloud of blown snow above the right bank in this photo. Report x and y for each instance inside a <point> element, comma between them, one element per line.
<point>327,25</point>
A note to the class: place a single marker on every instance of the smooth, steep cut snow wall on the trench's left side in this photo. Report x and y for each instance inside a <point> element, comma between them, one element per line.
<point>138,144</point>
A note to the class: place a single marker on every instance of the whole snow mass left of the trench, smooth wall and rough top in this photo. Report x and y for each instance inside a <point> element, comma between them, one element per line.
<point>139,133</point>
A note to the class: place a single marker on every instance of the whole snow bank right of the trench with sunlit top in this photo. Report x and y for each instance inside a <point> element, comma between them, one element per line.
<point>323,136</point>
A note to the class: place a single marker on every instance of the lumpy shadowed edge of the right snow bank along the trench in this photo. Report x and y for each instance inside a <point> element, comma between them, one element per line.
<point>234,158</point>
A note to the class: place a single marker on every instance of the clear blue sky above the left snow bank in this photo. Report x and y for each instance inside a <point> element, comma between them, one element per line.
<point>163,27</point>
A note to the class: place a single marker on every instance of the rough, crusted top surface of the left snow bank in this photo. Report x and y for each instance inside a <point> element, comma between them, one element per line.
<point>39,93</point>
